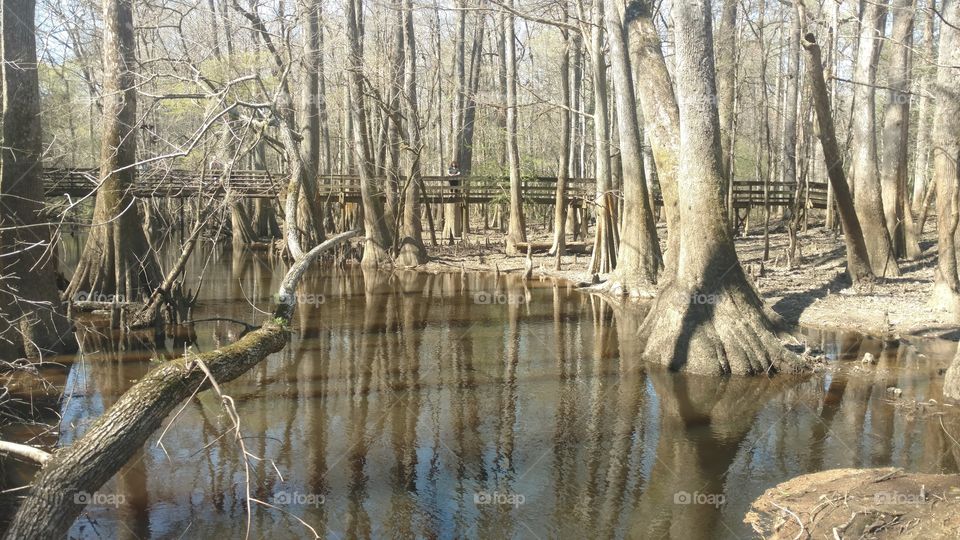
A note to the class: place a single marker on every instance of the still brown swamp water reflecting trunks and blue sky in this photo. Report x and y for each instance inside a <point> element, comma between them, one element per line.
<point>470,405</point>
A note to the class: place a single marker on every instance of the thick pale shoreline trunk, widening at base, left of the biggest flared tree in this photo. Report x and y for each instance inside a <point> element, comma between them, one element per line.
<point>638,257</point>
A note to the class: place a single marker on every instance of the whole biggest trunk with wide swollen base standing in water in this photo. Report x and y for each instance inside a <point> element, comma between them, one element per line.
<point>709,319</point>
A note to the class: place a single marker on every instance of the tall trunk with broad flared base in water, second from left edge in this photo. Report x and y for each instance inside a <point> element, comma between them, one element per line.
<point>116,258</point>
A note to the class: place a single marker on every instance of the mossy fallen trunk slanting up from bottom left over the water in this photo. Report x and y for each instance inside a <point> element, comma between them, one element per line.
<point>51,507</point>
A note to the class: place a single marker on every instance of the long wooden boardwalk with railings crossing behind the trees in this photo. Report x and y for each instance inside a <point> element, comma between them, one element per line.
<point>175,183</point>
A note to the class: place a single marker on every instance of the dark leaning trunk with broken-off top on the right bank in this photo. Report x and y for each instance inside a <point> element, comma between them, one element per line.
<point>858,262</point>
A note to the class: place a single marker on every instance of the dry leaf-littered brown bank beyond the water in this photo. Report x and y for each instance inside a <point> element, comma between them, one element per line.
<point>816,292</point>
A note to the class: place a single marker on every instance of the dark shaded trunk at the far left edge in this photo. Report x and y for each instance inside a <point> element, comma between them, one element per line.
<point>31,314</point>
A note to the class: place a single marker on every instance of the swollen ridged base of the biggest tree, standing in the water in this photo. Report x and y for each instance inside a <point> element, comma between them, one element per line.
<point>715,332</point>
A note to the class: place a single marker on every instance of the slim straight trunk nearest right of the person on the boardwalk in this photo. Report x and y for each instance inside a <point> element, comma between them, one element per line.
<point>516,230</point>
